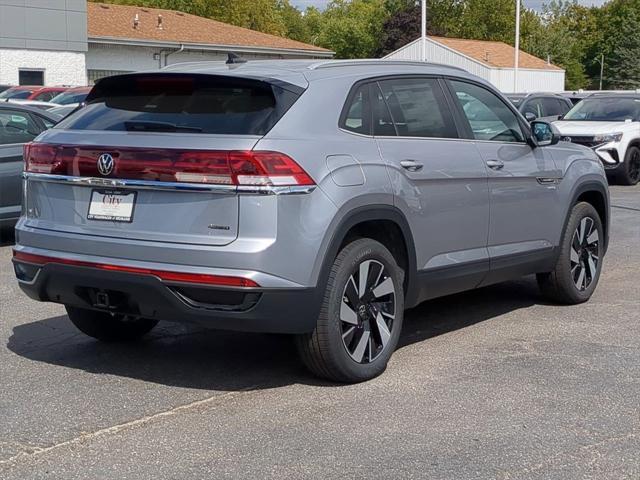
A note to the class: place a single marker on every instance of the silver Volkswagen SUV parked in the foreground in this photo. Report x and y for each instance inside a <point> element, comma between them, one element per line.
<point>318,199</point>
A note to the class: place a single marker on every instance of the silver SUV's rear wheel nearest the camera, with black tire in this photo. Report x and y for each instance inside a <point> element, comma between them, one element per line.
<point>356,334</point>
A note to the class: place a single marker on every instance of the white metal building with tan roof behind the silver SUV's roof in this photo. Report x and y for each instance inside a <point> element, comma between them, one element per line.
<point>493,61</point>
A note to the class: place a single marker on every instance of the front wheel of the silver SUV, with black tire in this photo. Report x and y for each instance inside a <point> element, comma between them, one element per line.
<point>577,270</point>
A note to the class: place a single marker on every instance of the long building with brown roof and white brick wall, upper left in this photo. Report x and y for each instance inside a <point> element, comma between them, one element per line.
<point>72,42</point>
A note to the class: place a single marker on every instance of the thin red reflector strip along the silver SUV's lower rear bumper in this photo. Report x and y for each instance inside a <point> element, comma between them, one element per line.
<point>196,278</point>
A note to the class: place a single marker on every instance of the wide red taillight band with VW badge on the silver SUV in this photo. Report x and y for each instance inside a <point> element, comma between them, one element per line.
<point>220,167</point>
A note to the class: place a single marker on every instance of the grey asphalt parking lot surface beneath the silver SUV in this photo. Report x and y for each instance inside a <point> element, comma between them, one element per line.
<point>495,383</point>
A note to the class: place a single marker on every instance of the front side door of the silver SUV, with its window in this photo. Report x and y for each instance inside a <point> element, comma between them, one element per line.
<point>522,181</point>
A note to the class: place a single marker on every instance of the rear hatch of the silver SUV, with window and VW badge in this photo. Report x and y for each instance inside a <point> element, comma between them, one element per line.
<point>150,157</point>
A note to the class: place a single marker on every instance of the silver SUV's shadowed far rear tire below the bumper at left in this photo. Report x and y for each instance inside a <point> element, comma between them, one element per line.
<point>106,327</point>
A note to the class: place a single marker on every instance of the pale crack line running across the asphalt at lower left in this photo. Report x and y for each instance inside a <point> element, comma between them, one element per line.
<point>33,451</point>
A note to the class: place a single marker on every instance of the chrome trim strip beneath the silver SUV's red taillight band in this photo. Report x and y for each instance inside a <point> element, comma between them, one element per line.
<point>170,186</point>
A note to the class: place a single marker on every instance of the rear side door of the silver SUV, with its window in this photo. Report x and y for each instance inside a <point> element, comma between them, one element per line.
<point>440,181</point>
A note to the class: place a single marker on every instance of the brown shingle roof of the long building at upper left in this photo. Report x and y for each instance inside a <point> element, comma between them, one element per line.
<point>117,21</point>
